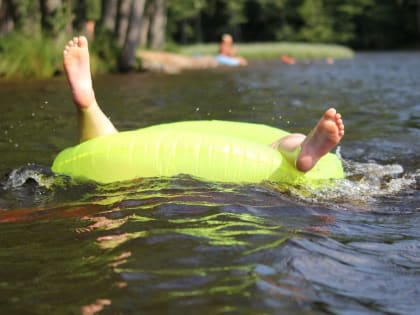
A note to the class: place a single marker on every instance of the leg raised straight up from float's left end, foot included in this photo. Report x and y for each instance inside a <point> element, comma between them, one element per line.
<point>92,121</point>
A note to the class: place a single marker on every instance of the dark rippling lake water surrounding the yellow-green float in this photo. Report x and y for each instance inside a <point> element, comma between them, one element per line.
<point>181,245</point>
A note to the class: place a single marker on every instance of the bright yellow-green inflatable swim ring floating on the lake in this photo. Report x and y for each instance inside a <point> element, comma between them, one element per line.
<point>219,151</point>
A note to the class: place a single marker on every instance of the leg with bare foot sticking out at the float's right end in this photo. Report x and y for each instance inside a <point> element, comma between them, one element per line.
<point>305,152</point>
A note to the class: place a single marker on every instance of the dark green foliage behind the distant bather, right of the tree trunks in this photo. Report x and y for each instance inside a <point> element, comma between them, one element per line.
<point>359,23</point>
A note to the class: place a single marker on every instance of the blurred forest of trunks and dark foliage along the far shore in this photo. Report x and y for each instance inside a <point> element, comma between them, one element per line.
<point>124,25</point>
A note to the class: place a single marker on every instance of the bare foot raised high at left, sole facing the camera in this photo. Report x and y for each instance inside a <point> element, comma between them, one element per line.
<point>77,68</point>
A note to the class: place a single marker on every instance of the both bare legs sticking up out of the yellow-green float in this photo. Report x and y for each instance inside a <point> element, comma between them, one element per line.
<point>302,151</point>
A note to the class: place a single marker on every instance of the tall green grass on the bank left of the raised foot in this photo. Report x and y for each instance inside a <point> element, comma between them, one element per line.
<point>24,56</point>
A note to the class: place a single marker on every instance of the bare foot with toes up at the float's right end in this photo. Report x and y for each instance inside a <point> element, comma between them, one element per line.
<point>325,136</point>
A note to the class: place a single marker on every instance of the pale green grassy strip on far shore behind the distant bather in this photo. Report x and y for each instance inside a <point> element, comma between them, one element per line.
<point>275,50</point>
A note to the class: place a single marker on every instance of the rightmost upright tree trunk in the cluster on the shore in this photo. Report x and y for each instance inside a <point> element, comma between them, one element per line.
<point>158,25</point>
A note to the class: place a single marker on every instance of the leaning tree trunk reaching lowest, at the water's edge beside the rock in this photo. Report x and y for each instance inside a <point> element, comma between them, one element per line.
<point>128,54</point>
